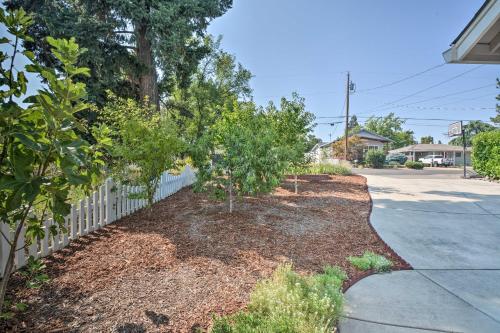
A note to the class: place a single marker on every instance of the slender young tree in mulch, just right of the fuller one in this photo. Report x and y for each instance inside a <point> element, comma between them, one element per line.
<point>292,124</point>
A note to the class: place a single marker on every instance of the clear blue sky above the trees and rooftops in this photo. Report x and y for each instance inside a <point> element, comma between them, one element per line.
<point>307,46</point>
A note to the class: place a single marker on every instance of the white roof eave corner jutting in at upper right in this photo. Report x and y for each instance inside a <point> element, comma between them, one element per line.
<point>479,41</point>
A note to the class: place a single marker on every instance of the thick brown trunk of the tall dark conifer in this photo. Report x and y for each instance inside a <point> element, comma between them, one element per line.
<point>148,84</point>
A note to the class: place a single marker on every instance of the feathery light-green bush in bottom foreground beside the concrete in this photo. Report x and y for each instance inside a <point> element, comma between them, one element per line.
<point>288,302</point>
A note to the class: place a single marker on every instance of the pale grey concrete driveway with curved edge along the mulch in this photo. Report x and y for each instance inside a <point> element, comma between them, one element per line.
<point>448,229</point>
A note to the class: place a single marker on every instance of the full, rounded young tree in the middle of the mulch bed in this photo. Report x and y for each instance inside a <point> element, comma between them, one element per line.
<point>239,155</point>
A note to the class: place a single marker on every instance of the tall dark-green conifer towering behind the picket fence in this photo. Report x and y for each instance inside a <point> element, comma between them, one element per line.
<point>127,40</point>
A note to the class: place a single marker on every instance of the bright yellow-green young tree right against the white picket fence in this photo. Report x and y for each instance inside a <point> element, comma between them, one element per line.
<point>145,145</point>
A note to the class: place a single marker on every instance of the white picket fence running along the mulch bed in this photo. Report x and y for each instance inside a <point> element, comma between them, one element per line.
<point>110,203</point>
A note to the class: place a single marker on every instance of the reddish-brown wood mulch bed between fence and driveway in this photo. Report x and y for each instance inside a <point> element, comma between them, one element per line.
<point>171,270</point>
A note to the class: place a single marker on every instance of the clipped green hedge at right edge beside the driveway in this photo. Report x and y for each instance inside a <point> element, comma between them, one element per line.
<point>486,154</point>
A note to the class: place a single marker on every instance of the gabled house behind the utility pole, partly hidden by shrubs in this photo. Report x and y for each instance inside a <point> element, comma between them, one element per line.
<point>323,152</point>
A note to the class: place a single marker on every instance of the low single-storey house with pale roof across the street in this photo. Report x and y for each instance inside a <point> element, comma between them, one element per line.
<point>415,152</point>
